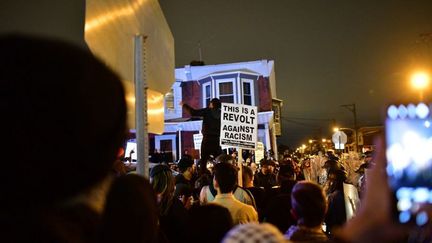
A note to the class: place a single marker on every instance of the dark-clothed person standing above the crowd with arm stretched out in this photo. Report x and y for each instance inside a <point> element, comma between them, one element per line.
<point>210,129</point>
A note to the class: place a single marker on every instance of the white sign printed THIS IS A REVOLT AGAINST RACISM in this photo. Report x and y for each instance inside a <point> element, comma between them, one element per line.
<point>239,124</point>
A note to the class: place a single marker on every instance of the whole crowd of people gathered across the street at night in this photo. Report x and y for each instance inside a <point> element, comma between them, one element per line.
<point>64,123</point>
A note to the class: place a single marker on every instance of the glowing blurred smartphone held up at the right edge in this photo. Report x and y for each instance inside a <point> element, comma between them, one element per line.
<point>409,160</point>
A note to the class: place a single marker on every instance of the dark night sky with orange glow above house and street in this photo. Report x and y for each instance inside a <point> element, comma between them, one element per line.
<point>327,53</point>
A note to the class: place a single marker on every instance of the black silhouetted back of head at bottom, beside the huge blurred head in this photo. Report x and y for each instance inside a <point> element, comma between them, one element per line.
<point>130,207</point>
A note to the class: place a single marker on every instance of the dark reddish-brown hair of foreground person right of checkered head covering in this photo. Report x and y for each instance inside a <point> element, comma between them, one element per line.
<point>309,203</point>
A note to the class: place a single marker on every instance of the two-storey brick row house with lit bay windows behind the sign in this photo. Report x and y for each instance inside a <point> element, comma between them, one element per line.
<point>249,83</point>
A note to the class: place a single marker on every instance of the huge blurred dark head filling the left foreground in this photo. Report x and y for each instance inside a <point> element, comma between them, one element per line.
<point>64,120</point>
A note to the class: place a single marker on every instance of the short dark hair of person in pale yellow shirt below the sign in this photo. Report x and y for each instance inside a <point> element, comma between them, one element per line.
<point>226,177</point>
